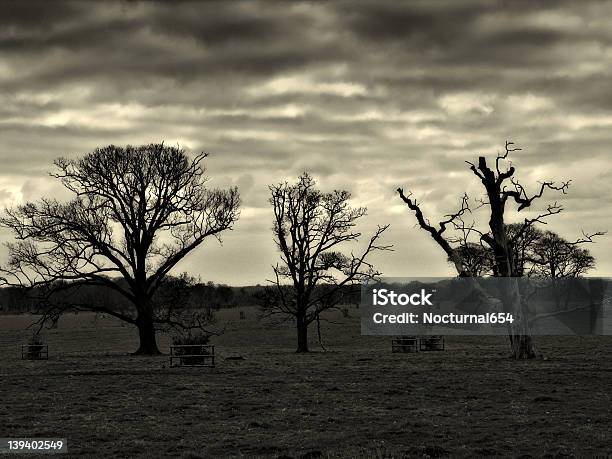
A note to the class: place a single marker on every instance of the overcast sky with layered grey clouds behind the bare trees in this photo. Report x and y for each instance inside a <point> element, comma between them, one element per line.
<point>366,96</point>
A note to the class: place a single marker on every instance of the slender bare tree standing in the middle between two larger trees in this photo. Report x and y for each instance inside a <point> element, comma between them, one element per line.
<point>309,226</point>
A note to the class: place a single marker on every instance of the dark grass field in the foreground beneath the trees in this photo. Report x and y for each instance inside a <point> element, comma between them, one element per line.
<point>356,400</point>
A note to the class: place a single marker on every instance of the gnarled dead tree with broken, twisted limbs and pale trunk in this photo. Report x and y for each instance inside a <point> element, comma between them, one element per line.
<point>500,187</point>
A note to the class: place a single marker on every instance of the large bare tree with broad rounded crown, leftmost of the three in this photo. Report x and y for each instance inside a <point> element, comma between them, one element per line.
<point>136,213</point>
